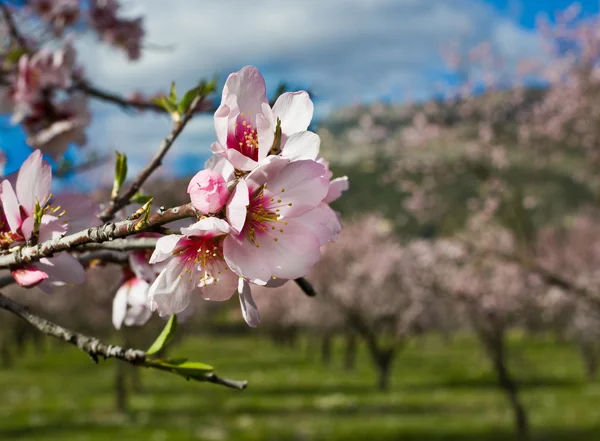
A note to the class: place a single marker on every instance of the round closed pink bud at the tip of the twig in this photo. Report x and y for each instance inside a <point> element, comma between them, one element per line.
<point>208,191</point>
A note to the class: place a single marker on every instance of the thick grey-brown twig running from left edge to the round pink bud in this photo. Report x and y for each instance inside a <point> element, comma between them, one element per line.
<point>100,234</point>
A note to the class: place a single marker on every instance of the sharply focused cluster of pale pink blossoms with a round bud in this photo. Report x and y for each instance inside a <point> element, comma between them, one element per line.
<point>264,202</point>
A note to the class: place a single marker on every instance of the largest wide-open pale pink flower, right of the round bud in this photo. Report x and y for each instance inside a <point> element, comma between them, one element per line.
<point>274,212</point>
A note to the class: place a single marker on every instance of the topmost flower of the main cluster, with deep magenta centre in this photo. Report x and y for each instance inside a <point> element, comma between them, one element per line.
<point>245,123</point>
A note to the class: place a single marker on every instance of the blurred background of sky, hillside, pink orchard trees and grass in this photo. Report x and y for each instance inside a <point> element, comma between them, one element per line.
<point>462,300</point>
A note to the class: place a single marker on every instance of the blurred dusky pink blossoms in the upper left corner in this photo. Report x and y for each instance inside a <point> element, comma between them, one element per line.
<point>42,90</point>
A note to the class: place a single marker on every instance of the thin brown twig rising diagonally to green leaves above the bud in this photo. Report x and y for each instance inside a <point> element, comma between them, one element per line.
<point>123,200</point>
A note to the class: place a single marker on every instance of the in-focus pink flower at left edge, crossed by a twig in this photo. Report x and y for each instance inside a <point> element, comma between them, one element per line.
<point>32,187</point>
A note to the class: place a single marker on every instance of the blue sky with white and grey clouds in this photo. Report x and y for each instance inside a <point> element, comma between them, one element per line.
<point>344,51</point>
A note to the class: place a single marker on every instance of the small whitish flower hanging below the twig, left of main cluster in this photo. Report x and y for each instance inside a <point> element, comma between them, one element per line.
<point>131,305</point>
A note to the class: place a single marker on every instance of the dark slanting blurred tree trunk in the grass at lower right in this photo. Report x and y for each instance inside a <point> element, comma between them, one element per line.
<point>497,352</point>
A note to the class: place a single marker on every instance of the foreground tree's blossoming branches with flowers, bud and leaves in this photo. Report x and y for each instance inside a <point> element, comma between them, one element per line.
<point>258,214</point>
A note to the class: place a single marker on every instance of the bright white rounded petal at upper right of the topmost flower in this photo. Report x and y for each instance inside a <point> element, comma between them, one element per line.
<point>295,110</point>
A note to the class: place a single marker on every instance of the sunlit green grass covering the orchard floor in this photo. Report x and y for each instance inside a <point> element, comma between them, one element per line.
<point>440,391</point>
